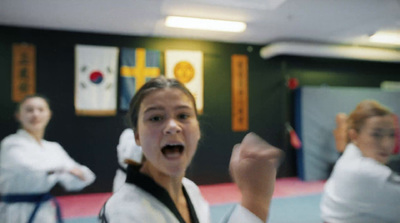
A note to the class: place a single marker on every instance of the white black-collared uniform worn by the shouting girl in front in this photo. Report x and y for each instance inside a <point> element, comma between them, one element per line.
<point>141,200</point>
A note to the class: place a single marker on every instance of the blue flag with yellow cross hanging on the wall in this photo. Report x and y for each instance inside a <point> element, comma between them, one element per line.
<point>137,67</point>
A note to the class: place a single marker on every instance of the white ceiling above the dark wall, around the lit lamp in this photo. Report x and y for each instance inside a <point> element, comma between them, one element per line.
<point>332,21</point>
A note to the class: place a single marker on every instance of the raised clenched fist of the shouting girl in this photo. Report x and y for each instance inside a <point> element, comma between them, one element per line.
<point>253,167</point>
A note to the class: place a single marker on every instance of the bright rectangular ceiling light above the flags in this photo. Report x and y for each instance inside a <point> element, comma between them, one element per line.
<point>205,24</point>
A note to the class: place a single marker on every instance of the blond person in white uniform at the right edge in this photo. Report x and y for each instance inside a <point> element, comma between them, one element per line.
<point>362,188</point>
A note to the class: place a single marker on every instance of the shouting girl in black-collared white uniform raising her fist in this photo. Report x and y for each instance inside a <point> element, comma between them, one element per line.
<point>163,116</point>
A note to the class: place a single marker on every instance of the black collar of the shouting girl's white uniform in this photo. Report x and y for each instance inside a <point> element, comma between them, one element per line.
<point>134,176</point>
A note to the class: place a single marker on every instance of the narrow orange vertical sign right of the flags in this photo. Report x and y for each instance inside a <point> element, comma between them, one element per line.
<point>240,95</point>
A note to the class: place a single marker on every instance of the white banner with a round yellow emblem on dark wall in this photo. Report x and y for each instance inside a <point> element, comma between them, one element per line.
<point>187,67</point>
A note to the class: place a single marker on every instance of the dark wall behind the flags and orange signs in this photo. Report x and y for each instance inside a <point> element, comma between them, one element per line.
<point>92,140</point>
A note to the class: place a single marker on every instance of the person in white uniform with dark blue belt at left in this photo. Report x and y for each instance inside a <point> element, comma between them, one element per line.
<point>30,166</point>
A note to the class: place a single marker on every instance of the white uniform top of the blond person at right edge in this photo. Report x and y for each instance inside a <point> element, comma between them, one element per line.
<point>361,189</point>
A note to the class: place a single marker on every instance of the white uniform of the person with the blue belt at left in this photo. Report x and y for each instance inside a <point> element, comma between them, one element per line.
<point>24,170</point>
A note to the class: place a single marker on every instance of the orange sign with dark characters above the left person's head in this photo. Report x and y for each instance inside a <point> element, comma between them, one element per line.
<point>23,71</point>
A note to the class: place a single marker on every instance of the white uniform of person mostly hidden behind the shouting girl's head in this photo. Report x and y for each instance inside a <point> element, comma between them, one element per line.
<point>126,149</point>
